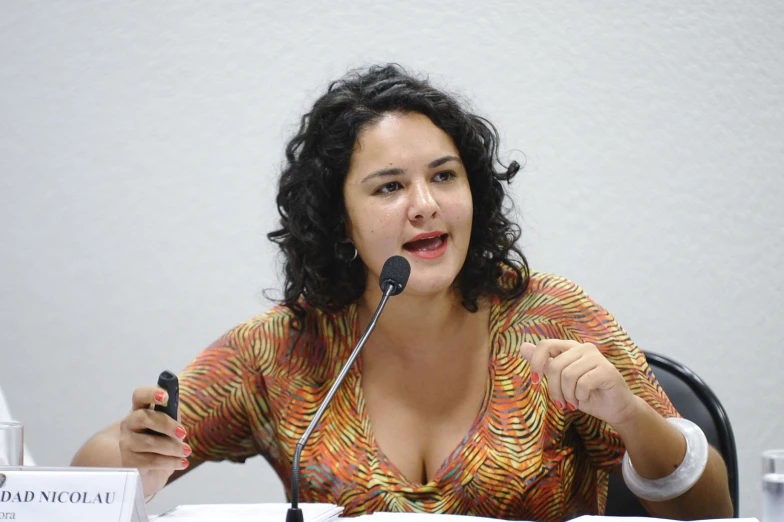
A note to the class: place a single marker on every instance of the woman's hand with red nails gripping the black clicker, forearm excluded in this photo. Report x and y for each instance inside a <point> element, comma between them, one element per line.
<point>156,455</point>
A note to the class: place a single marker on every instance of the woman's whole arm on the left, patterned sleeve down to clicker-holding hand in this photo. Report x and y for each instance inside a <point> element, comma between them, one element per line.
<point>223,396</point>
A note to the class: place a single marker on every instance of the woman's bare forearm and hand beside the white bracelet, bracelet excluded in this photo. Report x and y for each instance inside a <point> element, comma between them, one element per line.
<point>580,377</point>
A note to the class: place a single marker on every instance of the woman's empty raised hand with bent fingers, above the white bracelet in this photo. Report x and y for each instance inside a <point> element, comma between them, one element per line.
<point>580,377</point>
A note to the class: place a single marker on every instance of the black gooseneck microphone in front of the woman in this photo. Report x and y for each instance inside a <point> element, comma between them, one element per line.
<point>394,277</point>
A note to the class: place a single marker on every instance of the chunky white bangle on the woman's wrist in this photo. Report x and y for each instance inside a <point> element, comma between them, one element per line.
<point>683,478</point>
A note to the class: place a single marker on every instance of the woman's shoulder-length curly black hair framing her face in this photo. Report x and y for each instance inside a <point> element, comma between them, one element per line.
<point>318,266</point>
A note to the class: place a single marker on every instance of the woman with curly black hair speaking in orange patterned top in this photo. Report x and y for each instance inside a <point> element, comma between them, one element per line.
<point>486,388</point>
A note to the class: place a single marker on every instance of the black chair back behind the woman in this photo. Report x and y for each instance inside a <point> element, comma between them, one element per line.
<point>695,401</point>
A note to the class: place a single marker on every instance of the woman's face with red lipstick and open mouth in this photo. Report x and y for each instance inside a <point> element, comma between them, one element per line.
<point>407,193</point>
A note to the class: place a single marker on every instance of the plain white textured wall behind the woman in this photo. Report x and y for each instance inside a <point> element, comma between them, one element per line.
<point>140,141</point>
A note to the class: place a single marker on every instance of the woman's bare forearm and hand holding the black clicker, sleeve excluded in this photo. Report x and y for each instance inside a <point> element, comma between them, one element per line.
<point>130,443</point>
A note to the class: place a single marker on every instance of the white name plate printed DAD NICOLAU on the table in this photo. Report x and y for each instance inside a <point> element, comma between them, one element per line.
<point>33,494</point>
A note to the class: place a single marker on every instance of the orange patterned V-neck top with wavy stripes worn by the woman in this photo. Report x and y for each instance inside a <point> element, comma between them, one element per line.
<point>254,391</point>
